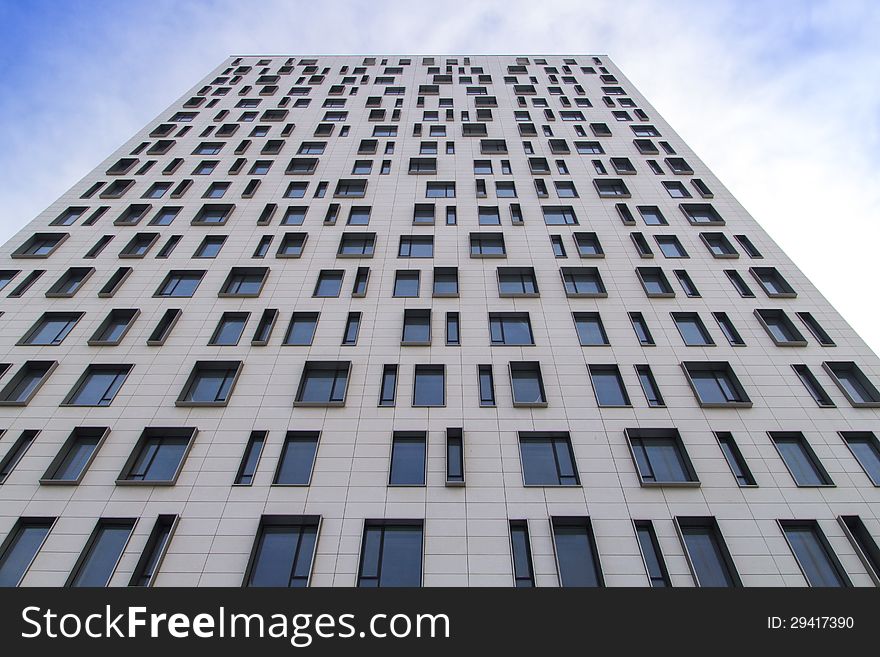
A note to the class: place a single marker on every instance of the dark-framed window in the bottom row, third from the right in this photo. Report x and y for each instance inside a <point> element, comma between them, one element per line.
<point>708,558</point>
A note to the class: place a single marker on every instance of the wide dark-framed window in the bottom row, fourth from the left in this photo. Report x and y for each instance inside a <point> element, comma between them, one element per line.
<point>283,551</point>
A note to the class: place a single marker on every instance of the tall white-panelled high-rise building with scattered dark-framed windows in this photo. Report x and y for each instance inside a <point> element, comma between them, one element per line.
<point>372,321</point>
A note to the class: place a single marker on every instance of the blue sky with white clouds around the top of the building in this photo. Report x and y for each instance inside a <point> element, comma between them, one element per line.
<point>780,98</point>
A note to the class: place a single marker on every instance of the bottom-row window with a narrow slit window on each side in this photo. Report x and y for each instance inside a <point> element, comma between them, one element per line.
<point>576,556</point>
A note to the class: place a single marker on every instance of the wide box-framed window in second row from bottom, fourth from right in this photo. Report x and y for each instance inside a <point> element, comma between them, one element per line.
<point>660,457</point>
